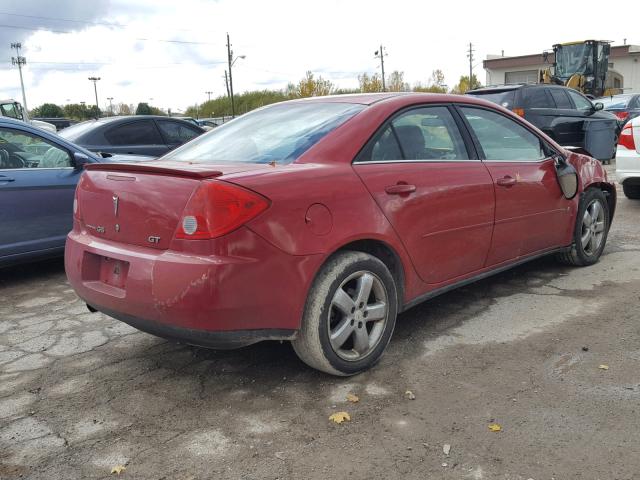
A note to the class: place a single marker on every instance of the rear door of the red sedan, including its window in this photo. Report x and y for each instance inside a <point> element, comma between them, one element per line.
<point>436,194</point>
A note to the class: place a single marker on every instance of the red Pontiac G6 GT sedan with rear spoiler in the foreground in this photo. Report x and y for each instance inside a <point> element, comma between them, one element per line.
<point>319,220</point>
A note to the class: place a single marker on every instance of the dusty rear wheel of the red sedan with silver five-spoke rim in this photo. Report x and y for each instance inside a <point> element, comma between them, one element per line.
<point>342,332</point>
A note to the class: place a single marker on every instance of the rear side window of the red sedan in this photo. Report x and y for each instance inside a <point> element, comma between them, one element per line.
<point>428,133</point>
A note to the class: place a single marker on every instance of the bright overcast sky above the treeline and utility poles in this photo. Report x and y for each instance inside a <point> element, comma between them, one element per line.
<point>174,51</point>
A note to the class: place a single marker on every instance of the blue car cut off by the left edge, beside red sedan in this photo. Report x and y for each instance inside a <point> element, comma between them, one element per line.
<point>38,175</point>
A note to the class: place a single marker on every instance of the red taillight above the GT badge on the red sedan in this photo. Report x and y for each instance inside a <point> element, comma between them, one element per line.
<point>218,208</point>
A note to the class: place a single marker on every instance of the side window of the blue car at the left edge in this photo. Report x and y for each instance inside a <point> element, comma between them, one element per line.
<point>20,149</point>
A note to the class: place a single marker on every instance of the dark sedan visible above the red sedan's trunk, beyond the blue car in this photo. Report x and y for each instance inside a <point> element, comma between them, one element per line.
<point>134,135</point>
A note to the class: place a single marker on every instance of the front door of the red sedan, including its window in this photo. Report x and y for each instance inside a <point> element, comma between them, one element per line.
<point>532,214</point>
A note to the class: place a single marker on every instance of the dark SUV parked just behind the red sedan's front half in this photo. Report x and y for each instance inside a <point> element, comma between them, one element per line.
<point>567,116</point>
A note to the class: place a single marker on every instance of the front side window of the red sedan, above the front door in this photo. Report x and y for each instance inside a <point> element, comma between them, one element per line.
<point>502,138</point>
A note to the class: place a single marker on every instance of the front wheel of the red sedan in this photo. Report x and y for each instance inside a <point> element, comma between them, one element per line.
<point>591,230</point>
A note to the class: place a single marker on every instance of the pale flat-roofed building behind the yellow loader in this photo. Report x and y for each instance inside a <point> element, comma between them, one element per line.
<point>624,59</point>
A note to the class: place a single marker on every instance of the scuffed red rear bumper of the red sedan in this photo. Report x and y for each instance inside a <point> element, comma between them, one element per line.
<point>248,291</point>
